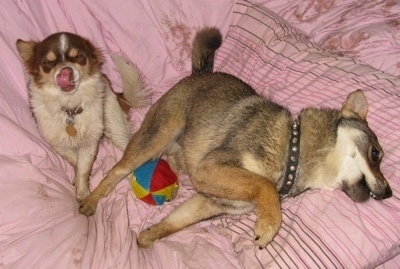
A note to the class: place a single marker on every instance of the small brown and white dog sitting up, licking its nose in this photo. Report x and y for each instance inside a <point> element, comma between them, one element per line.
<point>72,101</point>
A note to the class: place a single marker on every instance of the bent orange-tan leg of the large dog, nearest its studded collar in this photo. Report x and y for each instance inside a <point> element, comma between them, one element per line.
<point>237,184</point>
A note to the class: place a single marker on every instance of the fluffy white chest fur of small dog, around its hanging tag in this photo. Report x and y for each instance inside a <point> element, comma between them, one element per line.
<point>47,105</point>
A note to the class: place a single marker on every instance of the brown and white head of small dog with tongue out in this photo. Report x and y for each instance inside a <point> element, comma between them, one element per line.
<point>62,60</point>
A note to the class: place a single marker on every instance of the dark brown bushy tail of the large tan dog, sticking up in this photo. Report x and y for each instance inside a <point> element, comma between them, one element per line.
<point>205,43</point>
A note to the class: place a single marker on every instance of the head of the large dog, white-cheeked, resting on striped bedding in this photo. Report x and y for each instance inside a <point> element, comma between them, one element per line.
<point>361,153</point>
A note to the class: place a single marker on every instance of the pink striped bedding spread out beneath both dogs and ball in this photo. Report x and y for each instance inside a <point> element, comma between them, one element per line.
<point>40,226</point>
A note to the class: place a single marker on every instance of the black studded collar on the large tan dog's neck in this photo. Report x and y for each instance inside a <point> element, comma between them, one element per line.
<point>292,167</point>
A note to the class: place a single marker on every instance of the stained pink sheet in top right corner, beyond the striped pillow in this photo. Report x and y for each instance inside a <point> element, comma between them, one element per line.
<point>368,30</point>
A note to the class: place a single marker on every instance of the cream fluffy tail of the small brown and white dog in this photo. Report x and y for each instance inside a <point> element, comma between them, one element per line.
<point>136,93</point>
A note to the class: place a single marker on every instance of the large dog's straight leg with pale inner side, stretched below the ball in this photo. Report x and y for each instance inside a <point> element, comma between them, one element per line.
<point>195,209</point>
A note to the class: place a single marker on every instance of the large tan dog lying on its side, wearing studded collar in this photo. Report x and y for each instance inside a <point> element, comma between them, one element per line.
<point>245,152</point>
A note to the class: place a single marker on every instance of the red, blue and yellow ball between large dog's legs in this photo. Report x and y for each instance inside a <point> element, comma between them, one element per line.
<point>154,182</point>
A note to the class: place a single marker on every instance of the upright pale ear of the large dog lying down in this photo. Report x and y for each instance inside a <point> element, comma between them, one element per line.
<point>356,105</point>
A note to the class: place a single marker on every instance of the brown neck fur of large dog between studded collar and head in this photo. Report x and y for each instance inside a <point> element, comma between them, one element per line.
<point>318,129</point>
